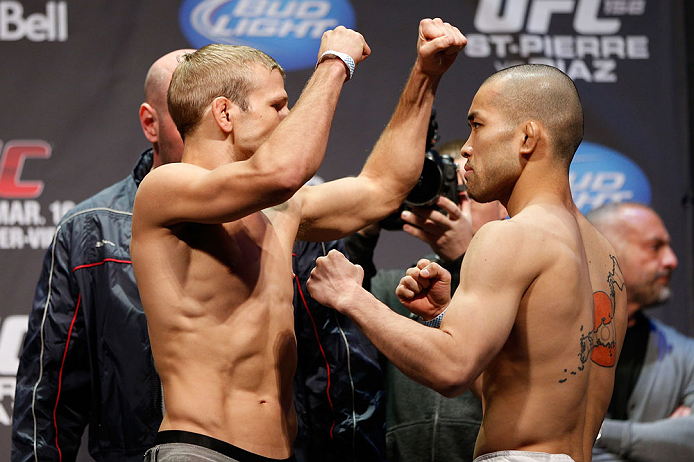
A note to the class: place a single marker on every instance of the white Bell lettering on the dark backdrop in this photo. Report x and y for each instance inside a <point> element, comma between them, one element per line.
<point>37,27</point>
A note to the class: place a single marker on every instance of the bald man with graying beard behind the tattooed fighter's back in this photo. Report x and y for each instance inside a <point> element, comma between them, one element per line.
<point>650,415</point>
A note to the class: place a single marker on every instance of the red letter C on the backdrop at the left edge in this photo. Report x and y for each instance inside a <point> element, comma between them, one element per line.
<point>11,164</point>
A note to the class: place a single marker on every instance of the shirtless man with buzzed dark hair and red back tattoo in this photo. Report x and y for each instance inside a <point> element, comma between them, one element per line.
<point>536,324</point>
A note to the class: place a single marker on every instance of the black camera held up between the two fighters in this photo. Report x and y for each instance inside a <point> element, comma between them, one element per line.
<point>439,177</point>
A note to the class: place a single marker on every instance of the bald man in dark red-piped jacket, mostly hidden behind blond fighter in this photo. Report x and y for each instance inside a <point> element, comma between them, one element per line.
<point>86,358</point>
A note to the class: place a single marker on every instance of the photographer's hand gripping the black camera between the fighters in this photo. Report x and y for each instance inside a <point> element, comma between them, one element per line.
<point>447,235</point>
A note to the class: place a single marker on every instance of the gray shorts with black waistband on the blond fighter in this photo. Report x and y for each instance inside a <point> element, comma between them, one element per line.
<point>182,446</point>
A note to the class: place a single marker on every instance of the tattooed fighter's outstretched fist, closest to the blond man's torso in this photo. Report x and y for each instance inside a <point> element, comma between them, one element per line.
<point>335,281</point>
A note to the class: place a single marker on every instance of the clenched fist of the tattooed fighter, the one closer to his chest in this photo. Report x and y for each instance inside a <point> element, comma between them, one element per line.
<point>425,290</point>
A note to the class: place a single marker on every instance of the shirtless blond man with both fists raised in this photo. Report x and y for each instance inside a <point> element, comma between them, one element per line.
<point>212,236</point>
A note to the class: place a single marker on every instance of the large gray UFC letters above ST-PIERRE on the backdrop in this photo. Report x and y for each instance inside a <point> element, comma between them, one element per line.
<point>490,18</point>
